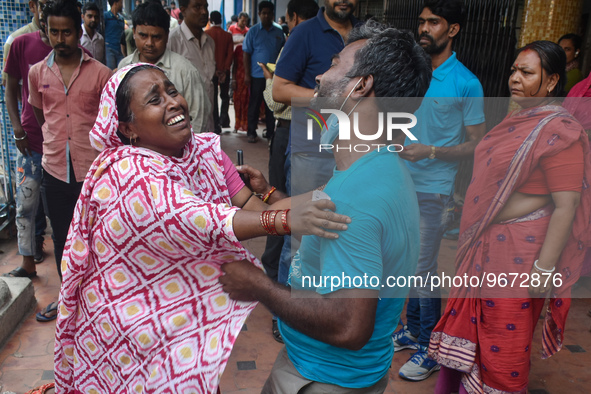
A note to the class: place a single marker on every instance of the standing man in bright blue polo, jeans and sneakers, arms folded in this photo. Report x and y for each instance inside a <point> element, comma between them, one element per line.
<point>450,124</point>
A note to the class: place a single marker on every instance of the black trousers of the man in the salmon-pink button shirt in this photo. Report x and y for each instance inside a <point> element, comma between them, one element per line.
<point>60,200</point>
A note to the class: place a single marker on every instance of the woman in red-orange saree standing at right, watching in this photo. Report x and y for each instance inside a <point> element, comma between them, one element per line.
<point>526,214</point>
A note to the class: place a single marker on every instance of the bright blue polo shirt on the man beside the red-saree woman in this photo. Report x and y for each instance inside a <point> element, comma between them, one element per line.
<point>454,100</point>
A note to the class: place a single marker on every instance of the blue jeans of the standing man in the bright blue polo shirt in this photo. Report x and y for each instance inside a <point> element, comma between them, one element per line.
<point>424,306</point>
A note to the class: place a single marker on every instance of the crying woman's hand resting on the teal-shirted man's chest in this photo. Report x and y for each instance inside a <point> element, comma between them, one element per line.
<point>315,217</point>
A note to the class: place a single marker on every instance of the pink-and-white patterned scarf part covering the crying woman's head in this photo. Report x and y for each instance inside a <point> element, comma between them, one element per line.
<point>104,132</point>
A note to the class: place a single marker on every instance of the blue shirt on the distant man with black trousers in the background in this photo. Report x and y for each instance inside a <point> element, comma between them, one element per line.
<point>263,46</point>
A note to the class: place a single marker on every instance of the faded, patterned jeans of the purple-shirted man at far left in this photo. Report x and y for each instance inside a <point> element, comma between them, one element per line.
<point>28,191</point>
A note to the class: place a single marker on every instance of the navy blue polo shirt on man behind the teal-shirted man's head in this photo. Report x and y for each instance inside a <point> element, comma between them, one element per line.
<point>307,54</point>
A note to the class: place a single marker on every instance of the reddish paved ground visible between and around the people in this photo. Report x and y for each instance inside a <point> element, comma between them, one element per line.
<point>26,361</point>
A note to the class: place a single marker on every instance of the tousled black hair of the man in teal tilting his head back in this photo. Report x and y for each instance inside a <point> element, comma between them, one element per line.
<point>399,66</point>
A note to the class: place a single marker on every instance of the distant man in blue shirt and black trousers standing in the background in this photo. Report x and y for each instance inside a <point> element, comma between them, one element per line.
<point>262,44</point>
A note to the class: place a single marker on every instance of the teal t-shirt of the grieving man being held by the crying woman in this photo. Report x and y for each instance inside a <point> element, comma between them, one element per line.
<point>382,240</point>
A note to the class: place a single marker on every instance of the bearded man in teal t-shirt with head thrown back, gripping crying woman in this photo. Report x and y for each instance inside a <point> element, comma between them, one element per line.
<point>338,336</point>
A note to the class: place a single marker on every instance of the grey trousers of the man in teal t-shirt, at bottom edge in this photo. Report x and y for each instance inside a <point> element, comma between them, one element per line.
<point>285,379</point>
